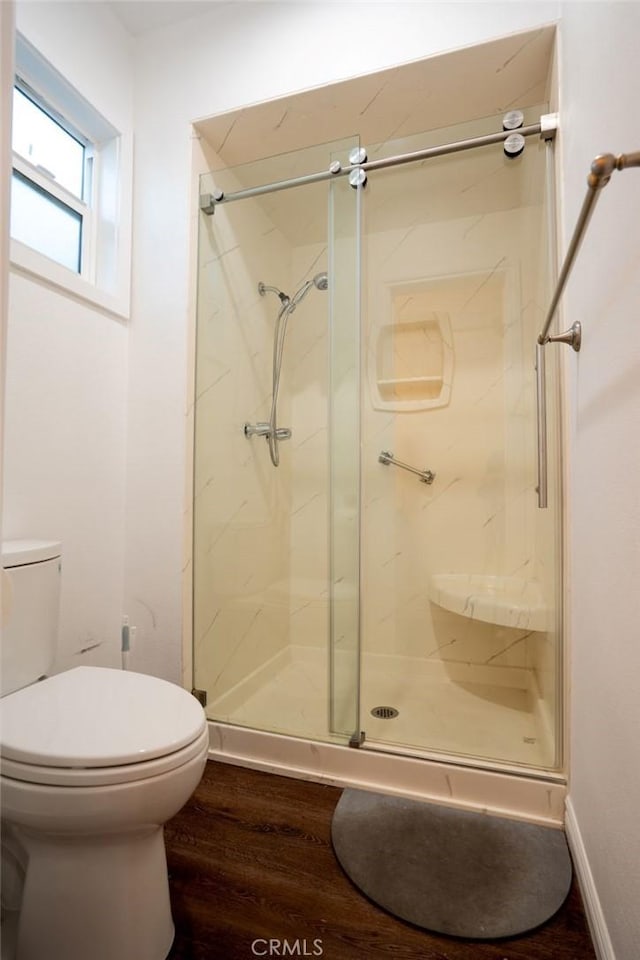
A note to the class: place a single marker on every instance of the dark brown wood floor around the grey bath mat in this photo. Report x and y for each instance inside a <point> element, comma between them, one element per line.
<point>250,861</point>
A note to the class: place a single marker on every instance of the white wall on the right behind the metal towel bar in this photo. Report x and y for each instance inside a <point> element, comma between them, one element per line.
<point>600,90</point>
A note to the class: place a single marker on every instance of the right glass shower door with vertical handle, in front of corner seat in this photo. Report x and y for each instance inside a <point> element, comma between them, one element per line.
<point>460,575</point>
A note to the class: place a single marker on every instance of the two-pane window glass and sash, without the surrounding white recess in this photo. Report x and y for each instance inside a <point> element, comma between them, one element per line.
<point>51,185</point>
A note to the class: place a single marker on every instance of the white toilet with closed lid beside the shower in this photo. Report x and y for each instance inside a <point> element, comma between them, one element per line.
<point>94,761</point>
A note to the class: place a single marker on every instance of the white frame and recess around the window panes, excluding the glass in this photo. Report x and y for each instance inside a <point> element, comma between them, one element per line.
<point>104,280</point>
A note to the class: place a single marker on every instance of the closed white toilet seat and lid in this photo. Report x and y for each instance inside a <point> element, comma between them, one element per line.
<point>95,725</point>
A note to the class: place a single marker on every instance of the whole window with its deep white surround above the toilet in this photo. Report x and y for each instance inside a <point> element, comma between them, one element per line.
<point>71,188</point>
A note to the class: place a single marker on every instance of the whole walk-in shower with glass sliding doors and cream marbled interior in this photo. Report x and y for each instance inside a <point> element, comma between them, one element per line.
<point>393,585</point>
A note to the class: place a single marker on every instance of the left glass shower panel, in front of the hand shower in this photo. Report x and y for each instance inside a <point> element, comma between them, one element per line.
<point>276,548</point>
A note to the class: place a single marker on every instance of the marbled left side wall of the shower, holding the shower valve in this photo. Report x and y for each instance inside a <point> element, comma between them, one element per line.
<point>241,502</point>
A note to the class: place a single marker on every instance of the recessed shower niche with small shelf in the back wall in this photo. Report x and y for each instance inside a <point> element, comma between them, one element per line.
<point>411,357</point>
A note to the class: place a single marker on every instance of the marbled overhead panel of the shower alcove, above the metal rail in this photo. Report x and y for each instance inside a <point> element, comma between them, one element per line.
<point>426,94</point>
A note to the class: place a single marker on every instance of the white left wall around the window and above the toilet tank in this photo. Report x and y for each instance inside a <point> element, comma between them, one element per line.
<point>66,377</point>
